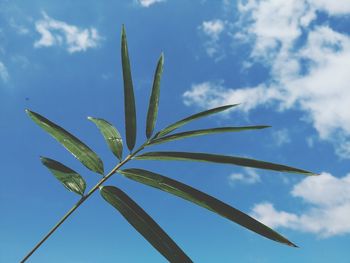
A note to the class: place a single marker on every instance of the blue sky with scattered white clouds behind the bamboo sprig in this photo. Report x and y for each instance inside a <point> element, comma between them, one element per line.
<point>286,62</point>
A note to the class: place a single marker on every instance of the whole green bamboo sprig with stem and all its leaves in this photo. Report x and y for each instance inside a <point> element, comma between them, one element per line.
<point>117,198</point>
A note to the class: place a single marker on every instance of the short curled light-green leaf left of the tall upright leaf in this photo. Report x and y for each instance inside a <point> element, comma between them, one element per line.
<point>111,136</point>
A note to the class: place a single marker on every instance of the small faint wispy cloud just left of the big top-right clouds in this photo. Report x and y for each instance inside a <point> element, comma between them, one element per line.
<point>212,29</point>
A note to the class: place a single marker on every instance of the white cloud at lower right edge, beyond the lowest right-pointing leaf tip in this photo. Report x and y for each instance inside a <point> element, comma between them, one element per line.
<point>328,207</point>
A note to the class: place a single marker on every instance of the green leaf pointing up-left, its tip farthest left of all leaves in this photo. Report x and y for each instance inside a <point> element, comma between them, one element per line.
<point>80,150</point>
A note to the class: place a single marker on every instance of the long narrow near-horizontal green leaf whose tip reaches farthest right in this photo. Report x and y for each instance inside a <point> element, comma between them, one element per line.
<point>215,158</point>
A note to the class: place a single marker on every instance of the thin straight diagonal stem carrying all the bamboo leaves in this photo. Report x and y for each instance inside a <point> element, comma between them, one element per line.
<point>82,200</point>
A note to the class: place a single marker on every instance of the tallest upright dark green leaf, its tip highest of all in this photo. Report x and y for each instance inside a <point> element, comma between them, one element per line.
<point>129,99</point>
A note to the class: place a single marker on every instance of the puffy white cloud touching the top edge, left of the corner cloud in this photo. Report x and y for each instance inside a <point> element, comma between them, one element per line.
<point>273,23</point>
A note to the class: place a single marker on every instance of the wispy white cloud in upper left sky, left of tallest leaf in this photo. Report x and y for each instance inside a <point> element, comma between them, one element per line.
<point>73,38</point>
